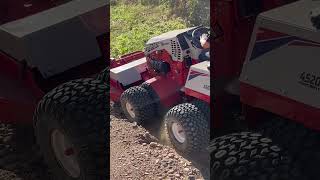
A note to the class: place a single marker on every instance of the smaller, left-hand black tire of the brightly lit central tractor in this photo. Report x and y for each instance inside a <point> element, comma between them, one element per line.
<point>141,103</point>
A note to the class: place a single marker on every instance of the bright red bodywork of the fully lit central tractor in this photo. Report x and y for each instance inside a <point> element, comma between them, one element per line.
<point>167,87</point>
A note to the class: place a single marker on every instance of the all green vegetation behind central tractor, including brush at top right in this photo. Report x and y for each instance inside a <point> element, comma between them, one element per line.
<point>134,22</point>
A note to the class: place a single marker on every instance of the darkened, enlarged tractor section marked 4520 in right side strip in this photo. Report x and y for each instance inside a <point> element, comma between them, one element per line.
<point>265,69</point>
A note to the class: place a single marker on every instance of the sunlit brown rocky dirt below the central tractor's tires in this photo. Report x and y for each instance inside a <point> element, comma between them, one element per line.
<point>144,153</point>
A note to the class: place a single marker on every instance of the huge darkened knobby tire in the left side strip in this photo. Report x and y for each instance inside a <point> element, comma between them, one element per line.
<point>79,111</point>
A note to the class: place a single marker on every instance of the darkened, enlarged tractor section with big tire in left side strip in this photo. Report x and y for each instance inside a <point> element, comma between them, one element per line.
<point>44,46</point>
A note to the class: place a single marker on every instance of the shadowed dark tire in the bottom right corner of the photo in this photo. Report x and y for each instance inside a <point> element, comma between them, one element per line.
<point>301,143</point>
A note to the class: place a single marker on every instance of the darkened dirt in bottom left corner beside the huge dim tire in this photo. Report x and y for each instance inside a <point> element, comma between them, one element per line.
<point>19,160</point>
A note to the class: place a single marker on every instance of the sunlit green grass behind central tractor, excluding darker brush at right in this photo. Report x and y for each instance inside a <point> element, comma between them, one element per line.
<point>133,25</point>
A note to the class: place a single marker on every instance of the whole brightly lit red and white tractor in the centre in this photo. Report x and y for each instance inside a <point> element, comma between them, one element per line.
<point>170,76</point>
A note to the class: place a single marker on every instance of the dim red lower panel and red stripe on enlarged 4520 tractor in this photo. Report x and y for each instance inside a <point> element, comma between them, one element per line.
<point>274,103</point>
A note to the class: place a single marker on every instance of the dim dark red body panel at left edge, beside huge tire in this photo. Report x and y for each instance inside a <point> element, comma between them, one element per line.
<point>19,92</point>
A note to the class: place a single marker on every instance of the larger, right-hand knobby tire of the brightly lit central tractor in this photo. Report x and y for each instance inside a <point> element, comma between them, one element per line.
<point>195,124</point>
